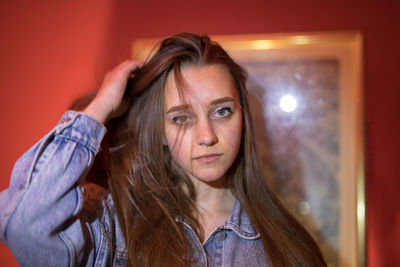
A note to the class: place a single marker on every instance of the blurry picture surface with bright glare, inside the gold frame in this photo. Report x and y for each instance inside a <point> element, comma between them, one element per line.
<point>296,124</point>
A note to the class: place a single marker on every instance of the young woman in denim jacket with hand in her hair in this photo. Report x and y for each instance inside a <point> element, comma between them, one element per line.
<point>185,188</point>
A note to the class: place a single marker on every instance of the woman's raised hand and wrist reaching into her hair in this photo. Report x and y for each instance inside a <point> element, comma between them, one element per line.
<point>110,101</point>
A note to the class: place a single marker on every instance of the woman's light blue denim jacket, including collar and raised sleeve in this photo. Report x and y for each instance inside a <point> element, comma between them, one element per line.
<point>48,218</point>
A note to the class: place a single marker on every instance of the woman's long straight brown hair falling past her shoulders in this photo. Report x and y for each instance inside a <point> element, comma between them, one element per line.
<point>147,186</point>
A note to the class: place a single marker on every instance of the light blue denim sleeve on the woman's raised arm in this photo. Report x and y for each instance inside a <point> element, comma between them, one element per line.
<point>45,197</point>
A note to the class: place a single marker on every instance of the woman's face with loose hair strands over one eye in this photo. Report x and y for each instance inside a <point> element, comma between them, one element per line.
<point>203,132</point>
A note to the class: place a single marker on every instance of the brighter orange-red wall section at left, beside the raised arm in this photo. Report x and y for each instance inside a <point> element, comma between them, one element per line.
<point>49,54</point>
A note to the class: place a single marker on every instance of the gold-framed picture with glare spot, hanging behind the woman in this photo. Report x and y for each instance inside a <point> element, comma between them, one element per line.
<point>306,102</point>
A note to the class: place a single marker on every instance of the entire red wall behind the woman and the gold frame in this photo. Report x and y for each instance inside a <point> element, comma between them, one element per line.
<point>50,53</point>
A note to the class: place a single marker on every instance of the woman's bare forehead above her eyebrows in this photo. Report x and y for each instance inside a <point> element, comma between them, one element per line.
<point>200,84</point>
